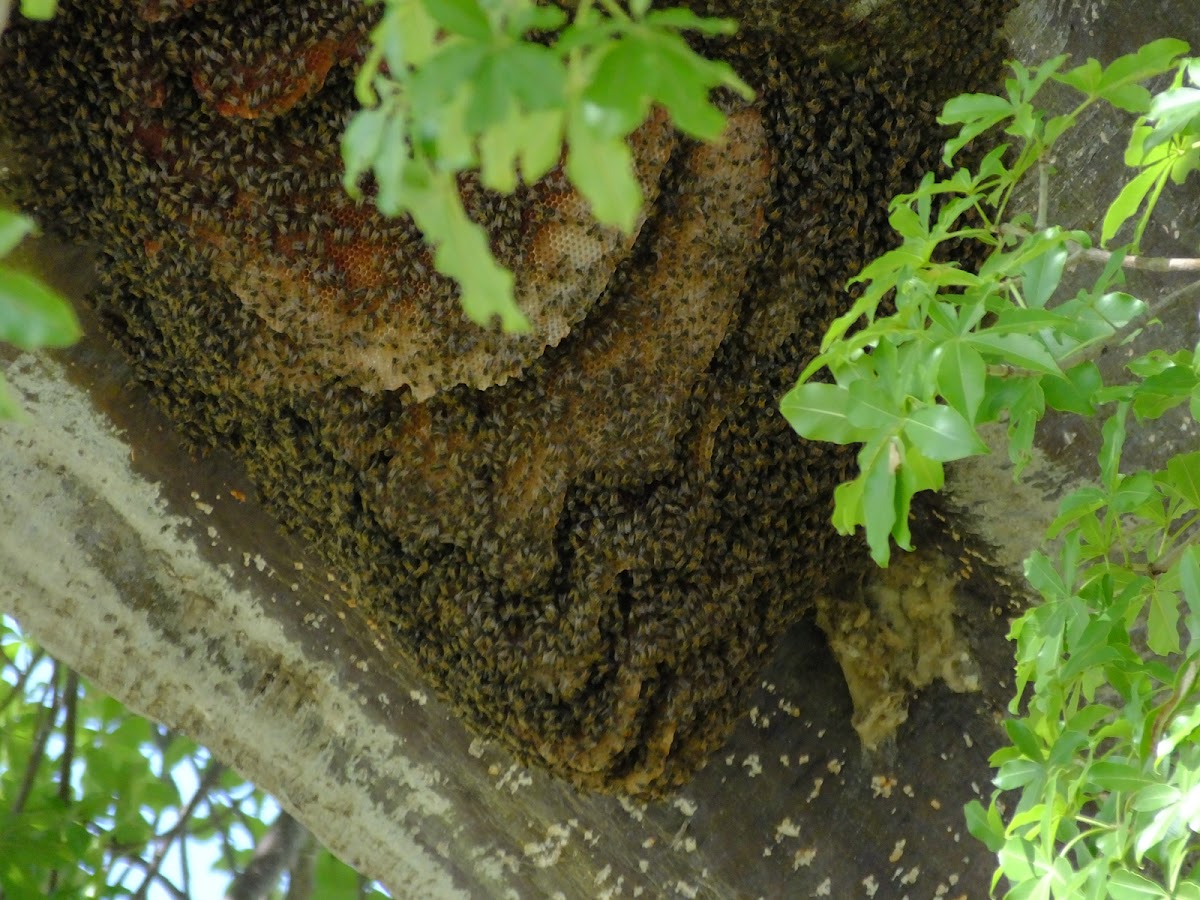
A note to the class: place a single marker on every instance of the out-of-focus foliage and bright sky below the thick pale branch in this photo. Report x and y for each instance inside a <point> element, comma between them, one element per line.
<point>93,799</point>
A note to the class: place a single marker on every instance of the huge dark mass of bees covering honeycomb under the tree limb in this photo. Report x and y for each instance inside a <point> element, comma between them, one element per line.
<point>591,536</point>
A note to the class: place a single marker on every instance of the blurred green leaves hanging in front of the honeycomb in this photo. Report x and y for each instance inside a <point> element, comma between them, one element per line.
<point>501,86</point>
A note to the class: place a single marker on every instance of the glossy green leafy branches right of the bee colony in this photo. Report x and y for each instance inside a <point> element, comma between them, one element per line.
<point>1105,754</point>
